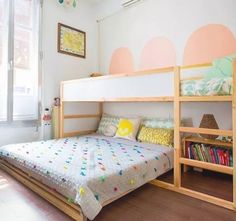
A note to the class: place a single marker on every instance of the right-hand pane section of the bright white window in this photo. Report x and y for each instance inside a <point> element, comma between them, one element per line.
<point>25,61</point>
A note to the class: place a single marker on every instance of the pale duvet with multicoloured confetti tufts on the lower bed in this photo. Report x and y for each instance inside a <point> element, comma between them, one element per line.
<point>89,170</point>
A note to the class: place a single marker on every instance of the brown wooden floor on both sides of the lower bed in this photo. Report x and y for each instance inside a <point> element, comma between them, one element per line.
<point>145,204</point>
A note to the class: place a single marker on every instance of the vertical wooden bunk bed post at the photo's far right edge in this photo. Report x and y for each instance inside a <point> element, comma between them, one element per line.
<point>234,132</point>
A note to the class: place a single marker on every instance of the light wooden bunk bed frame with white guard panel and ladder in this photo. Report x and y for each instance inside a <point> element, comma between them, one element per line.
<point>74,87</point>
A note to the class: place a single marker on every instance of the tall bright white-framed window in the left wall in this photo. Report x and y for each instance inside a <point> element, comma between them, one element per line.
<point>19,30</point>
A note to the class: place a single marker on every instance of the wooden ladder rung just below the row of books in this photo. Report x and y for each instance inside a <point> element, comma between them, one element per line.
<point>208,166</point>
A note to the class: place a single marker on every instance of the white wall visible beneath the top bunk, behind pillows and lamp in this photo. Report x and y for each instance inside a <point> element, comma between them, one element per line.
<point>191,112</point>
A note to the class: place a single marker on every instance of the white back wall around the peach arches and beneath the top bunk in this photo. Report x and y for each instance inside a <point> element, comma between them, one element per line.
<point>133,27</point>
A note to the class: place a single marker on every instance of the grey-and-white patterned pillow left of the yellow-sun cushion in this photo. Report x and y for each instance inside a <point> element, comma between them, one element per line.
<point>108,125</point>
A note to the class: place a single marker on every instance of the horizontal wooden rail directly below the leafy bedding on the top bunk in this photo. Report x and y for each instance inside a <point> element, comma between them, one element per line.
<point>206,98</point>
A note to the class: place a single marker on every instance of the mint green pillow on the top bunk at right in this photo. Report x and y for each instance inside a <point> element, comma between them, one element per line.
<point>222,67</point>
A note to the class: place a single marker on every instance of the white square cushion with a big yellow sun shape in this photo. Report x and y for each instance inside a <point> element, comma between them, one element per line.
<point>128,128</point>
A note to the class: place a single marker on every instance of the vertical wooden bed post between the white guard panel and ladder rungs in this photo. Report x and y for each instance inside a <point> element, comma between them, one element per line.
<point>177,119</point>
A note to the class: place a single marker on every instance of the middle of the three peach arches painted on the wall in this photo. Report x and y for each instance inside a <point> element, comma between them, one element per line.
<point>158,52</point>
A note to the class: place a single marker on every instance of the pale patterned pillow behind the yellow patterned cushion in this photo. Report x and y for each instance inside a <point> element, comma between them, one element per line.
<point>158,122</point>
